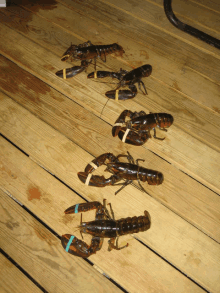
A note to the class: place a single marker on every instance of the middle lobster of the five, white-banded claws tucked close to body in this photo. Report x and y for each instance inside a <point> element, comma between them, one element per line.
<point>136,130</point>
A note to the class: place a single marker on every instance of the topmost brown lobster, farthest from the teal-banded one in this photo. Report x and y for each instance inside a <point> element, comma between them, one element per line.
<point>86,52</point>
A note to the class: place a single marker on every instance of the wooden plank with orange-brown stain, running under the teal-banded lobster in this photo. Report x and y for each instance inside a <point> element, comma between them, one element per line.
<point>136,268</point>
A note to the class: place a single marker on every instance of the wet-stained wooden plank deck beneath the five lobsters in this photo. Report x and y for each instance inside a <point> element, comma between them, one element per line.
<point>52,128</point>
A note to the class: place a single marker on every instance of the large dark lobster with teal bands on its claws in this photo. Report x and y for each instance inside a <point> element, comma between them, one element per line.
<point>104,226</point>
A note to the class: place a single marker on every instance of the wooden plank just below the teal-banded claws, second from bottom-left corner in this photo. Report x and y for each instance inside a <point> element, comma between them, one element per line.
<point>40,253</point>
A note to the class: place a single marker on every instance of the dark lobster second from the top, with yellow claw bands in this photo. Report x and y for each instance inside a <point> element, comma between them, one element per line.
<point>125,79</point>
